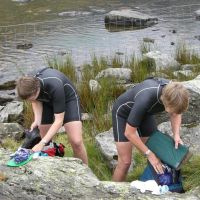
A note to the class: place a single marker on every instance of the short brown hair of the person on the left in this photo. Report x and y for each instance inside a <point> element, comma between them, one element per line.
<point>27,86</point>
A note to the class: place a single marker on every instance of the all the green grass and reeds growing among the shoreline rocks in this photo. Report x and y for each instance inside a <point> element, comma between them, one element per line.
<point>99,104</point>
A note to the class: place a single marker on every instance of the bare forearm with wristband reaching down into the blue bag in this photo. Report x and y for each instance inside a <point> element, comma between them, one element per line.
<point>130,133</point>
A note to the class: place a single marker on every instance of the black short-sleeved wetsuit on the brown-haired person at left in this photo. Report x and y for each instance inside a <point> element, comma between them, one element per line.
<point>57,95</point>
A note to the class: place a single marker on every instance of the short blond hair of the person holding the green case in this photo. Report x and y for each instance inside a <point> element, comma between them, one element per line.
<point>176,97</point>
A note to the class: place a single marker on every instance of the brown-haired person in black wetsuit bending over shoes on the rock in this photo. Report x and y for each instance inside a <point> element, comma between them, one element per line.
<point>55,104</point>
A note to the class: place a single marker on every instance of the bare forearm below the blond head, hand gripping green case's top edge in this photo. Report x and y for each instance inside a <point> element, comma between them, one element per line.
<point>175,120</point>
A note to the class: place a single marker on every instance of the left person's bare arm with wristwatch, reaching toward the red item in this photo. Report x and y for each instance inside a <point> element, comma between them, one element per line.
<point>51,132</point>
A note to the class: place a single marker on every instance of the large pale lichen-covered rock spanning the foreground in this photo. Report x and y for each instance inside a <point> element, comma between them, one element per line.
<point>67,178</point>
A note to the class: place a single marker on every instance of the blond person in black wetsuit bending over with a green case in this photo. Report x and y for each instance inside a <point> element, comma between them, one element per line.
<point>133,119</point>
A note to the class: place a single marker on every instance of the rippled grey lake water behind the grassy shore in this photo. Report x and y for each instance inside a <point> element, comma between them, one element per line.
<point>82,33</point>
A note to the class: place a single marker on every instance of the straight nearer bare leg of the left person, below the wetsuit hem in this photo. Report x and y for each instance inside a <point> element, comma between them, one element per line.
<point>74,131</point>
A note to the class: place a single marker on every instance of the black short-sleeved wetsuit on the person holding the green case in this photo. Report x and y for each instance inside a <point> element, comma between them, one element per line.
<point>136,107</point>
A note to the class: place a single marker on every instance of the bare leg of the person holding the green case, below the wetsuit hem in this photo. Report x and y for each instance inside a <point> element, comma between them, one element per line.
<point>124,150</point>
